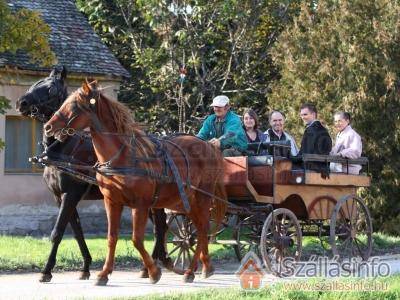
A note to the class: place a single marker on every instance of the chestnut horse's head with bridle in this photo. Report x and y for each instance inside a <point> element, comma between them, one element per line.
<point>76,113</point>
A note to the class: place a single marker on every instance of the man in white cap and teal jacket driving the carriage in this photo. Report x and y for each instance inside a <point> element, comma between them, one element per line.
<point>224,129</point>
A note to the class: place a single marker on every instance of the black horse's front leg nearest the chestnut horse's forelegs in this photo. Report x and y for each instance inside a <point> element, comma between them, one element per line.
<point>78,233</point>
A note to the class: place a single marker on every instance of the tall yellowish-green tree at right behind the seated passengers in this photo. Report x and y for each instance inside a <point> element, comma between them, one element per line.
<point>344,55</point>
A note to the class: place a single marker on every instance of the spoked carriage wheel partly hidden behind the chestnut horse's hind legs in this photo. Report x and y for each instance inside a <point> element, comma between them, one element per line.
<point>183,241</point>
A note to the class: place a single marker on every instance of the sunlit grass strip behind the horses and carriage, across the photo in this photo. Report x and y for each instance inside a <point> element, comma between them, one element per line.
<point>30,254</point>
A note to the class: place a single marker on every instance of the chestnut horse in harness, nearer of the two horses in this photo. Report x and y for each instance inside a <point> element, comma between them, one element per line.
<point>133,169</point>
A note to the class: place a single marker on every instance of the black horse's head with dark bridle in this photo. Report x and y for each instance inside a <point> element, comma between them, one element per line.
<point>44,97</point>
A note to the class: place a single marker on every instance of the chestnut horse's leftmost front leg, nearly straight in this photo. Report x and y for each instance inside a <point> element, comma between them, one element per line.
<point>114,212</point>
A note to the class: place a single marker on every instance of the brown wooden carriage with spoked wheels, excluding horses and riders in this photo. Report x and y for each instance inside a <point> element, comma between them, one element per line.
<point>271,207</point>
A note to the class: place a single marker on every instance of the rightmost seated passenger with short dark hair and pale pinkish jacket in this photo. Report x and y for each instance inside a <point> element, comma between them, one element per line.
<point>348,144</point>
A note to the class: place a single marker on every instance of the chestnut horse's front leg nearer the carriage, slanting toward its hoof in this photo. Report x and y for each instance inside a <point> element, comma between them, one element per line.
<point>139,217</point>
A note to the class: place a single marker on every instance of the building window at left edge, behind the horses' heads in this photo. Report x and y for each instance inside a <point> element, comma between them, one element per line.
<point>22,137</point>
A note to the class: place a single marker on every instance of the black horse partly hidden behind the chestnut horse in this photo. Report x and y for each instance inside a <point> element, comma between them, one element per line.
<point>40,102</point>
